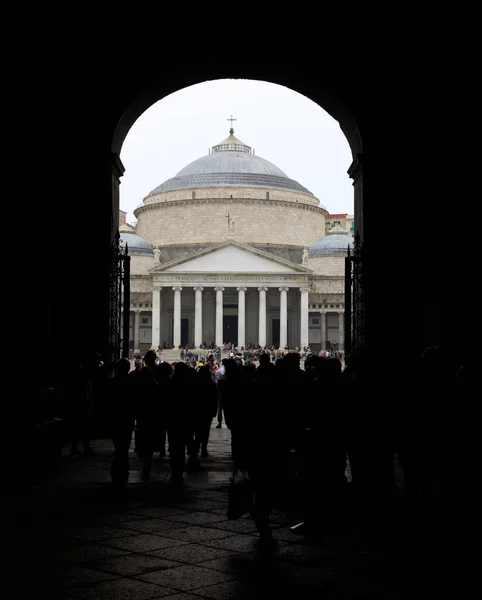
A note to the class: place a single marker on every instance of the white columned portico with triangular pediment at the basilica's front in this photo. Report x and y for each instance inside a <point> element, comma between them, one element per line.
<point>268,295</point>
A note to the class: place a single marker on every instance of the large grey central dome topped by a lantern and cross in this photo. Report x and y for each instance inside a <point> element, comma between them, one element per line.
<point>230,163</point>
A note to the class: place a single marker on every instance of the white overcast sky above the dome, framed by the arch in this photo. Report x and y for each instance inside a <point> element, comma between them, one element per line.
<point>283,127</point>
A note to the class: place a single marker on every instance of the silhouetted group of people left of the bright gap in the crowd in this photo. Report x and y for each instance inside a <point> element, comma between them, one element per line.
<point>161,402</point>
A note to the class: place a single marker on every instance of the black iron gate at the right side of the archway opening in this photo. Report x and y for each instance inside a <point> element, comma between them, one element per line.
<point>354,299</point>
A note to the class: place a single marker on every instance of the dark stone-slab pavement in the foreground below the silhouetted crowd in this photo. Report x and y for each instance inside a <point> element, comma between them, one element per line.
<point>75,539</point>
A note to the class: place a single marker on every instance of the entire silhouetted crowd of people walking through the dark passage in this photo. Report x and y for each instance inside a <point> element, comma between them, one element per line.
<point>325,416</point>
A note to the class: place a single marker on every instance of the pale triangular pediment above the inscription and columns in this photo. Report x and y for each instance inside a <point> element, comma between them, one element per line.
<point>231,257</point>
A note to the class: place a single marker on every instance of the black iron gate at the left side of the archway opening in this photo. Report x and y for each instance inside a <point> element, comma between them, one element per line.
<point>119,304</point>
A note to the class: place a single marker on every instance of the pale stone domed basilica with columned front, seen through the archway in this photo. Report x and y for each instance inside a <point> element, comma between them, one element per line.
<point>232,250</point>
